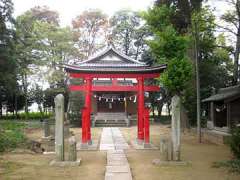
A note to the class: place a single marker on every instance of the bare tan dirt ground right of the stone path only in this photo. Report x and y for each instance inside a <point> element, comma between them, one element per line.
<point>201,157</point>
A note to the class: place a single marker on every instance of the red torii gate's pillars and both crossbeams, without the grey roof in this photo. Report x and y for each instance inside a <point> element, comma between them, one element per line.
<point>88,88</point>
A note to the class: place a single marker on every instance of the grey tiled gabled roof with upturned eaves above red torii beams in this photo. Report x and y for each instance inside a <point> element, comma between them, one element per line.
<point>112,61</point>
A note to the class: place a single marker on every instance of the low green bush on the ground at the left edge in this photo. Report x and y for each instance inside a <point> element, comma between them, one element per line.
<point>11,135</point>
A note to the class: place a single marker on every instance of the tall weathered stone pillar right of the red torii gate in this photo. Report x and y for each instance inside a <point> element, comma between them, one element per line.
<point>176,130</point>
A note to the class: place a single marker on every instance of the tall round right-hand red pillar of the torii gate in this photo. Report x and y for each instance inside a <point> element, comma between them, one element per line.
<point>140,109</point>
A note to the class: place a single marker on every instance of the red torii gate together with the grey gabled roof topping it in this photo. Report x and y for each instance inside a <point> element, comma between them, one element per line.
<point>113,64</point>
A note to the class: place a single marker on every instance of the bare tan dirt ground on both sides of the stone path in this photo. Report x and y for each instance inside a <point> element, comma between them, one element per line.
<point>29,166</point>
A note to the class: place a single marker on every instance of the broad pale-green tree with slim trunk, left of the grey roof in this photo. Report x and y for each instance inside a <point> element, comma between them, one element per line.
<point>42,45</point>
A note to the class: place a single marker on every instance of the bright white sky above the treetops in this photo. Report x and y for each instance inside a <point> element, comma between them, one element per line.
<point>69,9</point>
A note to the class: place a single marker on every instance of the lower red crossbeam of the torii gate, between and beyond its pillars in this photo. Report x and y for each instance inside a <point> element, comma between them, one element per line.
<point>112,88</point>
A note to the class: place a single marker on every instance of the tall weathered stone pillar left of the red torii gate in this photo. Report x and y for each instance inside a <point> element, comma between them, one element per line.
<point>59,130</point>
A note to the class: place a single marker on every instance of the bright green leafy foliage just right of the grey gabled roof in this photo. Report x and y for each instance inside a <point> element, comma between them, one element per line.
<point>168,46</point>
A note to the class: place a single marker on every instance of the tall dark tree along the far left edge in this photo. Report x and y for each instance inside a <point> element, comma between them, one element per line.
<point>8,79</point>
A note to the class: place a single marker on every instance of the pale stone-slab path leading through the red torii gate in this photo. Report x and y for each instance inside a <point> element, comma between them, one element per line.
<point>117,167</point>
